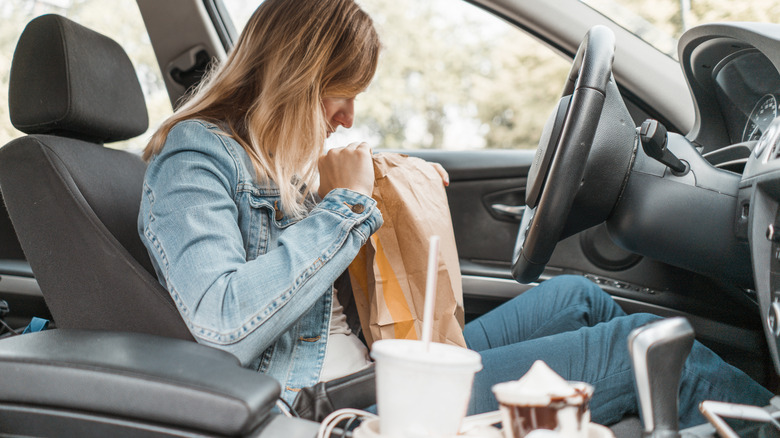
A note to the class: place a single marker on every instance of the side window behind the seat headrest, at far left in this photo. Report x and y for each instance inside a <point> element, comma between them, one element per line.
<point>118,19</point>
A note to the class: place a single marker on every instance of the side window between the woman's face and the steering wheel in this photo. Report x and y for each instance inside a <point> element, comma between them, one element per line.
<point>451,76</point>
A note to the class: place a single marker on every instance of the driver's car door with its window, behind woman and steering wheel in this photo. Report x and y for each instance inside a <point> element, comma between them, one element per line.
<point>441,95</point>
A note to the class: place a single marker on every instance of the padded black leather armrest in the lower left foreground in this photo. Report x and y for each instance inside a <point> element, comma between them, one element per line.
<point>138,378</point>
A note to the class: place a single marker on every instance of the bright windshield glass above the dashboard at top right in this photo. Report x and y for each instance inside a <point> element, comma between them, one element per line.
<point>662,22</point>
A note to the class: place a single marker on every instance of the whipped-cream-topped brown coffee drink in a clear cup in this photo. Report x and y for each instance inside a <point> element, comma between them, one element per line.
<point>542,399</point>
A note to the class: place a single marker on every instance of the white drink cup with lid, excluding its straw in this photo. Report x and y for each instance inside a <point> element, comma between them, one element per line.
<point>422,393</point>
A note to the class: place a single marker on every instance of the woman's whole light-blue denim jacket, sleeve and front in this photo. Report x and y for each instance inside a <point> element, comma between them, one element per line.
<point>245,278</point>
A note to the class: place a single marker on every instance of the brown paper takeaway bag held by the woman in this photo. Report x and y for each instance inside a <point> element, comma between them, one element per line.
<point>389,273</point>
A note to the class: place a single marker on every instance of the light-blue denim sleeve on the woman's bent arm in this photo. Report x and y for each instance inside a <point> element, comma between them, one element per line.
<point>189,223</point>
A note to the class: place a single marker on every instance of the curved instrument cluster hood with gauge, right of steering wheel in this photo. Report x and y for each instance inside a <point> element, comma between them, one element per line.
<point>732,72</point>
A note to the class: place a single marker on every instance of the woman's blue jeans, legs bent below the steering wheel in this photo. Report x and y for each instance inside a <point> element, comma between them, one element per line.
<point>581,333</point>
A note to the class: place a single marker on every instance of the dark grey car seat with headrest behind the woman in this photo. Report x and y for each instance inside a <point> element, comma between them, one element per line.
<point>73,202</point>
